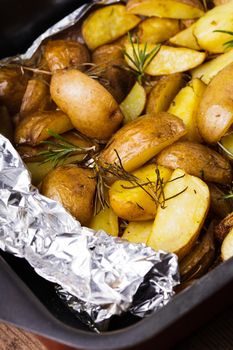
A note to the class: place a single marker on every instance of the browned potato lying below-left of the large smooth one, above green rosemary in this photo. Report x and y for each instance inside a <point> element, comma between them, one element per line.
<point>34,128</point>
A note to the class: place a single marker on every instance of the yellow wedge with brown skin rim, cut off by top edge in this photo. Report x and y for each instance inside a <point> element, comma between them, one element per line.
<point>181,9</point>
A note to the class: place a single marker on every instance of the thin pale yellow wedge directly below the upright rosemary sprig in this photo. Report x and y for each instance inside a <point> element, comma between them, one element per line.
<point>134,103</point>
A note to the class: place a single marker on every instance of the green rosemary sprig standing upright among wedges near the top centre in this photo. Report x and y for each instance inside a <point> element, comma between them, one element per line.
<point>141,58</point>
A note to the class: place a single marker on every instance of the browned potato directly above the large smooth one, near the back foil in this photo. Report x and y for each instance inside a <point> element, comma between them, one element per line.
<point>61,54</point>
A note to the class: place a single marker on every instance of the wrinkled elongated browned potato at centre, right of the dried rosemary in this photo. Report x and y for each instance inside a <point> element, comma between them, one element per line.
<point>141,139</point>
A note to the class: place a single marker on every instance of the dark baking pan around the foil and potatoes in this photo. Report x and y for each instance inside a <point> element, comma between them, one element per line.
<point>30,302</point>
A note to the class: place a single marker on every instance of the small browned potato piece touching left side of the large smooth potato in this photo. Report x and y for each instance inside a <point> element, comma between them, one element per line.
<point>36,97</point>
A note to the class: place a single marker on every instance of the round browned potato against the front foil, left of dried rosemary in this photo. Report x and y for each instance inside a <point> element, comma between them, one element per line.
<point>74,188</point>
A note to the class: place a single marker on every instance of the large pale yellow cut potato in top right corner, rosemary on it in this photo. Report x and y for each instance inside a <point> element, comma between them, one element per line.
<point>219,18</point>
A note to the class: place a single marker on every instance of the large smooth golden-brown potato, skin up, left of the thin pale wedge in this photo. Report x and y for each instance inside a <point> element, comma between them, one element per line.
<point>91,108</point>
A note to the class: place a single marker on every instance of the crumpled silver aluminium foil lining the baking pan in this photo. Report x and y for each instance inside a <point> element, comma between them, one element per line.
<point>97,275</point>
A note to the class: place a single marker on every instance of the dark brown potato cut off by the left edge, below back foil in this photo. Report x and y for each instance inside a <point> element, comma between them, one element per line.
<point>13,83</point>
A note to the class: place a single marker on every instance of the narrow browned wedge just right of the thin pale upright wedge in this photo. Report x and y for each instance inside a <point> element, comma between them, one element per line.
<point>163,93</point>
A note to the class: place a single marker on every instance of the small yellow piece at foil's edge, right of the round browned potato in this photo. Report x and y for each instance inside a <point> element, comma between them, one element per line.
<point>107,221</point>
